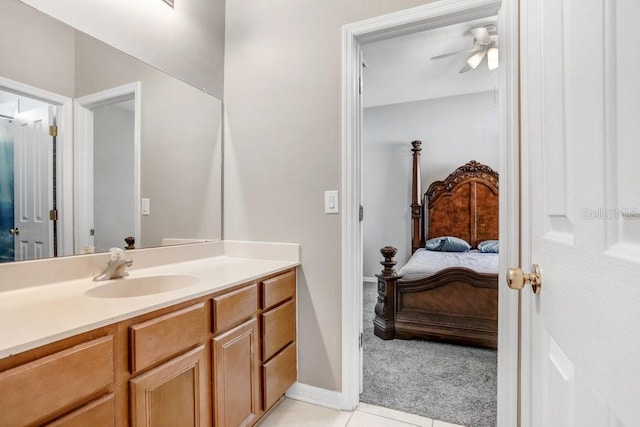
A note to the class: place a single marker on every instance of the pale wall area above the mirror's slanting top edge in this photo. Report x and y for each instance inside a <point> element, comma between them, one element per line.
<point>186,41</point>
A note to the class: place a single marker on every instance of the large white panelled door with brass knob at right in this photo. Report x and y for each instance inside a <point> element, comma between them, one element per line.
<point>581,124</point>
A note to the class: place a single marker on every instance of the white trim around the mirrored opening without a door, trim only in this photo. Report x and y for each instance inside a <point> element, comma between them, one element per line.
<point>83,167</point>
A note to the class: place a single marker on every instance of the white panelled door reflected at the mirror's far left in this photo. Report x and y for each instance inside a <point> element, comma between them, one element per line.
<point>33,165</point>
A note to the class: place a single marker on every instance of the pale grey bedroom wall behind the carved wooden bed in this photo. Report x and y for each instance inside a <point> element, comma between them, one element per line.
<point>453,130</point>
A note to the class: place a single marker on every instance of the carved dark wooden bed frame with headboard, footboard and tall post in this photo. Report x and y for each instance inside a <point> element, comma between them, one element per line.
<point>457,304</point>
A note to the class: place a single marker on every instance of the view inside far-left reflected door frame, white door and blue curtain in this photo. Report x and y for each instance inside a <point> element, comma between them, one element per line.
<point>27,153</point>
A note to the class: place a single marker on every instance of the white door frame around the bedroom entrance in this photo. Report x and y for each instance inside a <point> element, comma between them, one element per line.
<point>433,15</point>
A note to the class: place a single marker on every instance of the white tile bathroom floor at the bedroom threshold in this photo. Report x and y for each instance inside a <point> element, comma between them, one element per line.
<point>294,413</point>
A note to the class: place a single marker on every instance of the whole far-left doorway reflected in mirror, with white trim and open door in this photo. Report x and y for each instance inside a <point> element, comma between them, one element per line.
<point>35,220</point>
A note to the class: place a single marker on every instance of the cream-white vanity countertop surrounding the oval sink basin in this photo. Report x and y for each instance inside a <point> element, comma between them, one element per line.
<point>39,315</point>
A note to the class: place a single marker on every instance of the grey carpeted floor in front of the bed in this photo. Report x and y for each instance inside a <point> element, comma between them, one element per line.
<point>446,382</point>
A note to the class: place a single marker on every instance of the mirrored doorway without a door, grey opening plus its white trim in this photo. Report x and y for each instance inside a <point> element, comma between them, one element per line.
<point>107,169</point>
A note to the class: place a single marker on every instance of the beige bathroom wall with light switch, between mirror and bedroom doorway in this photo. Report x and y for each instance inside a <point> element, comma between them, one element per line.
<point>283,149</point>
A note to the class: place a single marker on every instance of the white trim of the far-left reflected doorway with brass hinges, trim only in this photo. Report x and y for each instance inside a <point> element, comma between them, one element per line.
<point>64,155</point>
